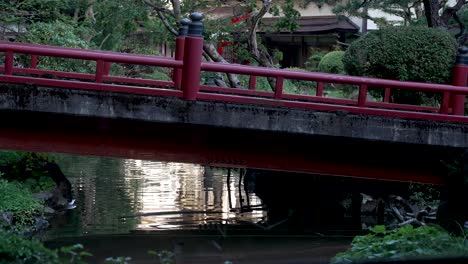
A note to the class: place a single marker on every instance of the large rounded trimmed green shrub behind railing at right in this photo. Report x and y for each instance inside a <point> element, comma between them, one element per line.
<point>403,53</point>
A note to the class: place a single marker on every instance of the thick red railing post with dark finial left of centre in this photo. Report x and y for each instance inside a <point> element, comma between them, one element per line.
<point>192,58</point>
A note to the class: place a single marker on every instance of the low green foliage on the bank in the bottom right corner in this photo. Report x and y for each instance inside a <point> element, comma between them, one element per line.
<point>404,243</point>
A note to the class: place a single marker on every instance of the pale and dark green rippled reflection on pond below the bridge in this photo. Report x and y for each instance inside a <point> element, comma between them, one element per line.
<point>107,189</point>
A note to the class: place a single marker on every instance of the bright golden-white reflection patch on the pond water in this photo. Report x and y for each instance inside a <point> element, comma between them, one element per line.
<point>173,187</point>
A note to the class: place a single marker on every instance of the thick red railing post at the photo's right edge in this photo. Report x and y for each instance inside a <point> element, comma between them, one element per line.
<point>459,78</point>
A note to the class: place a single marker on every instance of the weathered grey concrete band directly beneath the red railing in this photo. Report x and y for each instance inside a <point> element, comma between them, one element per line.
<point>230,115</point>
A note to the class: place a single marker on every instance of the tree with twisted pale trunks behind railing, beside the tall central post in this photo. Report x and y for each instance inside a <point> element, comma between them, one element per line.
<point>170,12</point>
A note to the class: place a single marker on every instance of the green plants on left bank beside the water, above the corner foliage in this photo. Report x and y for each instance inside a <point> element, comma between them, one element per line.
<point>18,200</point>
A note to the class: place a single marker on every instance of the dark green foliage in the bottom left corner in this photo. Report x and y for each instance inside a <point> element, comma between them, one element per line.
<point>15,249</point>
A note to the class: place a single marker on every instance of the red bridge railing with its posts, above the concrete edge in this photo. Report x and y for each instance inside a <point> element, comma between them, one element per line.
<point>187,66</point>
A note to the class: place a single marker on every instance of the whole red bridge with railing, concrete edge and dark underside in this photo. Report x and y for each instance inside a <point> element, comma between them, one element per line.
<point>102,114</point>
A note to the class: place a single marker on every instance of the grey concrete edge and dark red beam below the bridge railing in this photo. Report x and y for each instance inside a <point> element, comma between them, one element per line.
<point>225,134</point>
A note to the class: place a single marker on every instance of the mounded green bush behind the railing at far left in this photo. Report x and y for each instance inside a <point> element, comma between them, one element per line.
<point>59,34</point>
